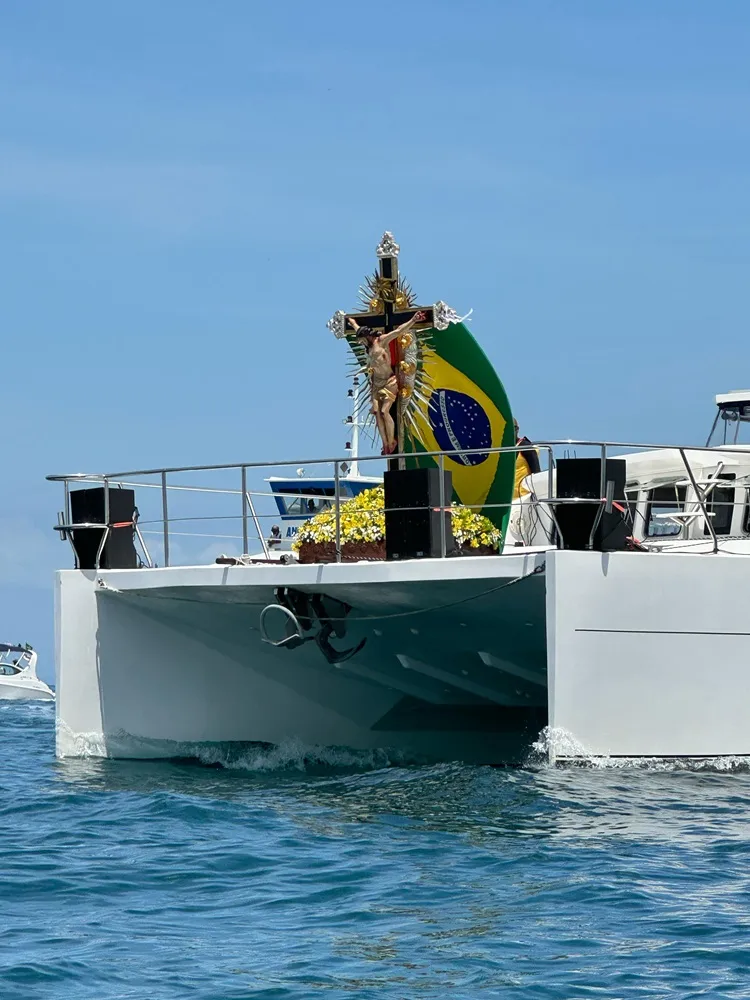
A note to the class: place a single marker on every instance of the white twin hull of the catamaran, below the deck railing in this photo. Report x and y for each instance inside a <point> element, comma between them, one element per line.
<point>621,654</point>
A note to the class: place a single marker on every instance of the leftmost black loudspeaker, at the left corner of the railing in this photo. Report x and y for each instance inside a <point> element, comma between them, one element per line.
<point>88,506</point>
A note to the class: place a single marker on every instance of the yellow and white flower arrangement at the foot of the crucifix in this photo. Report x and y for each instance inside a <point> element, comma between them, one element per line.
<point>362,524</point>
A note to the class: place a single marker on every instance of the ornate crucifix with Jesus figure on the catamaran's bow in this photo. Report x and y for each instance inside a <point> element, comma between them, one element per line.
<point>384,332</point>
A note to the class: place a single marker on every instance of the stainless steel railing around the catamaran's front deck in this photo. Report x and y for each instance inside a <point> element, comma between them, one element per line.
<point>248,512</point>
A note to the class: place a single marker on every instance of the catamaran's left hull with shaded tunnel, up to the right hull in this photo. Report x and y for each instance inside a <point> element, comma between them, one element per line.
<point>157,661</point>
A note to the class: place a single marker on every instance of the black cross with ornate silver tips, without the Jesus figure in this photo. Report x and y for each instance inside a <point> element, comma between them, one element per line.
<point>386,313</point>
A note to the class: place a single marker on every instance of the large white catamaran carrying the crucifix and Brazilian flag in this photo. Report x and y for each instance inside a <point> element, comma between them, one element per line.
<point>614,617</point>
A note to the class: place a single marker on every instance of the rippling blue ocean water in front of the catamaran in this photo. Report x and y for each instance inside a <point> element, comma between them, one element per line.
<point>274,875</point>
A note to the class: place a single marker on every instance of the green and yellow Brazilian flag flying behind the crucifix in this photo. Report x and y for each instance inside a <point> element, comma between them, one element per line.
<point>463,405</point>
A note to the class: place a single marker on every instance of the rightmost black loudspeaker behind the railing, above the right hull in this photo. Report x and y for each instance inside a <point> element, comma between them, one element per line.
<point>581,477</point>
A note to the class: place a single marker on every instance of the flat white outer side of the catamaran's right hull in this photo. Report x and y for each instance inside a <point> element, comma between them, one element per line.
<point>649,655</point>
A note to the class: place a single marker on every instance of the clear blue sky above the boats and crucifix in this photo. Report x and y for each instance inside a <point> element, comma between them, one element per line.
<point>189,190</point>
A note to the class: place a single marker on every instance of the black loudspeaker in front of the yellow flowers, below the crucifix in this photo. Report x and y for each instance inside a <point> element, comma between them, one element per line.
<point>413,516</point>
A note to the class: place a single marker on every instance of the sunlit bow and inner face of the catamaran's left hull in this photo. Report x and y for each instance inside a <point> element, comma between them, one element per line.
<point>123,674</point>
